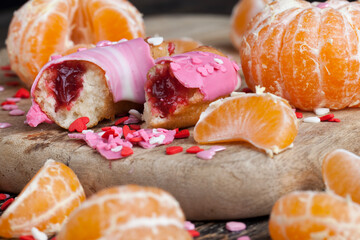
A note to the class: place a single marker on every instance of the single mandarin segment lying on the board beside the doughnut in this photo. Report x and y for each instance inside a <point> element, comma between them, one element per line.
<point>264,120</point>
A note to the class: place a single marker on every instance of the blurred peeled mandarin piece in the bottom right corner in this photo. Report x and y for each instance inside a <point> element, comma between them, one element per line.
<point>314,215</point>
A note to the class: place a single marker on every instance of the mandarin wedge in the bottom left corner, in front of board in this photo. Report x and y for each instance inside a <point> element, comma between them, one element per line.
<point>45,202</point>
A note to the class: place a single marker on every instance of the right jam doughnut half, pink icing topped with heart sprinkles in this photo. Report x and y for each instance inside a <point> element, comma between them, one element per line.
<point>180,87</point>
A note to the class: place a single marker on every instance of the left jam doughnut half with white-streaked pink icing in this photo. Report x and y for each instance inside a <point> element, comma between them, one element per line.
<point>96,83</point>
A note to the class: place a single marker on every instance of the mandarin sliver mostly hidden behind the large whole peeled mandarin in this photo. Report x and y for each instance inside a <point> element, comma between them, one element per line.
<point>241,16</point>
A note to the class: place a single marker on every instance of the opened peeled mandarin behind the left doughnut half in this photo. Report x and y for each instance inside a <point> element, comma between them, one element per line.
<point>42,28</point>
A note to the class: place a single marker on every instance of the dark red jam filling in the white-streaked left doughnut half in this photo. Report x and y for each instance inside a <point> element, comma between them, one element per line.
<point>66,83</point>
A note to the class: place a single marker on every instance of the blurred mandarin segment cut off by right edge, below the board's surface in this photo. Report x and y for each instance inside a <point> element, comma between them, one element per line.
<point>341,170</point>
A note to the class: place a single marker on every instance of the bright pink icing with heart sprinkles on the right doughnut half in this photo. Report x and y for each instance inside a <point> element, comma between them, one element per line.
<point>214,75</point>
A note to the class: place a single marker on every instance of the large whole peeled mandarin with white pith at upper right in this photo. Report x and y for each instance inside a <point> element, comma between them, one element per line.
<point>305,53</point>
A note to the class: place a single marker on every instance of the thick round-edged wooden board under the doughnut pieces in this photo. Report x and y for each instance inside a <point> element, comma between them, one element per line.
<point>240,182</point>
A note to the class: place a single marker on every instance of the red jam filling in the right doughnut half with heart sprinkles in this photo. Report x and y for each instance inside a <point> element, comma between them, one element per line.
<point>165,91</point>
